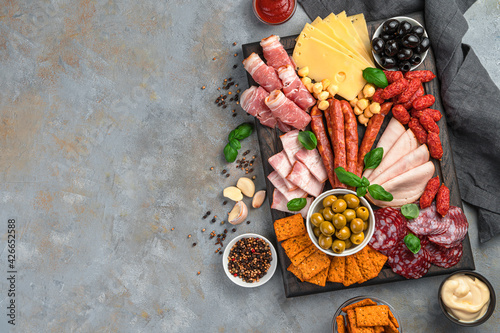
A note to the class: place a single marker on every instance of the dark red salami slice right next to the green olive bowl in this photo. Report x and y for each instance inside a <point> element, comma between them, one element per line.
<point>390,228</point>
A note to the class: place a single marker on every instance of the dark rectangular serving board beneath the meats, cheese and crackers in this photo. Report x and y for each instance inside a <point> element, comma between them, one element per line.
<point>270,144</point>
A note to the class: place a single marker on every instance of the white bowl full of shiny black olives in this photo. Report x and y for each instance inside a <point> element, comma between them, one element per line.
<point>400,43</point>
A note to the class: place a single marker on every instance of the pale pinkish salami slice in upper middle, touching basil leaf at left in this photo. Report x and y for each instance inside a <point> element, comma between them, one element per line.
<point>429,222</point>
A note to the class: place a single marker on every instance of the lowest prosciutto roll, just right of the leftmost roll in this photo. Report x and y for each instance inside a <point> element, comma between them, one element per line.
<point>287,111</point>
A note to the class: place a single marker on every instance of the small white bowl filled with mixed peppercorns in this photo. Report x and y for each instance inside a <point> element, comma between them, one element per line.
<point>250,260</point>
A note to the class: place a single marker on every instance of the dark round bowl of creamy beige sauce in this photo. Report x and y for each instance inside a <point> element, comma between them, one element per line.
<point>467,298</point>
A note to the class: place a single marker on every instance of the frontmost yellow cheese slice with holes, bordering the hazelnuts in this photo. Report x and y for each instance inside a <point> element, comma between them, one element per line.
<point>325,62</point>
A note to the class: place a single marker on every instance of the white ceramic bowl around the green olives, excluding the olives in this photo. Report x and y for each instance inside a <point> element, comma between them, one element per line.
<point>318,204</point>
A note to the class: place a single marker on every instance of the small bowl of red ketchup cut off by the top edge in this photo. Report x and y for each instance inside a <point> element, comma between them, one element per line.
<point>274,11</point>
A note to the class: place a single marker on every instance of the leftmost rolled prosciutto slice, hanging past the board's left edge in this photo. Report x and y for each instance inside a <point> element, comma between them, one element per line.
<point>252,101</point>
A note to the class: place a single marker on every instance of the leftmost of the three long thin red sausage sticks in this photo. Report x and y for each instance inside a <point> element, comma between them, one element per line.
<point>324,148</point>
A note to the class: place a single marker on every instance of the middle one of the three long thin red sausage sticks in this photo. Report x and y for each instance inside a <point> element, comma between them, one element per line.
<point>338,138</point>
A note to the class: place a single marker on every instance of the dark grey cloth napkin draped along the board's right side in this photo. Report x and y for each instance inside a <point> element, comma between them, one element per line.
<point>471,99</point>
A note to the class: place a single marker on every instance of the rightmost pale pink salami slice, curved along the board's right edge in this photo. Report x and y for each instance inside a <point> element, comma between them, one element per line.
<point>456,231</point>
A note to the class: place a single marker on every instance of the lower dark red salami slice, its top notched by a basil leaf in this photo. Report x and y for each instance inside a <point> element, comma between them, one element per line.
<point>407,264</point>
